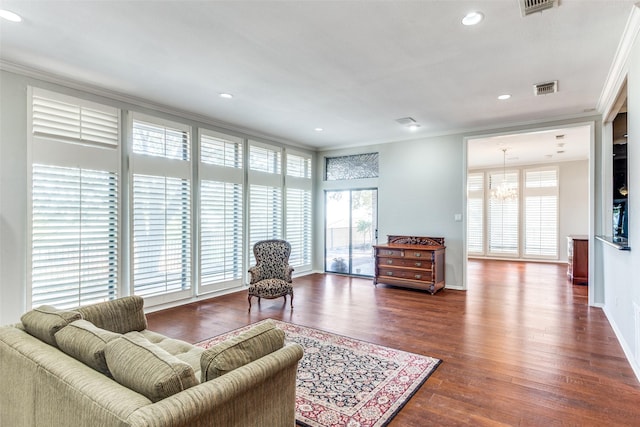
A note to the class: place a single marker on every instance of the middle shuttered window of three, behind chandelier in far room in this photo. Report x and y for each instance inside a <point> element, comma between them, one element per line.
<point>503,216</point>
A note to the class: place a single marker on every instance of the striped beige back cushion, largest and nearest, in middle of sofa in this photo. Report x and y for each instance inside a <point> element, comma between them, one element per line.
<point>144,367</point>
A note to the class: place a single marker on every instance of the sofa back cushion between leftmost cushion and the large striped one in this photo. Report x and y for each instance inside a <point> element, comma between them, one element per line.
<point>85,342</point>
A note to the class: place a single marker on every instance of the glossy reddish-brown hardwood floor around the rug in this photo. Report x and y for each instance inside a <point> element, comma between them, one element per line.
<point>519,347</point>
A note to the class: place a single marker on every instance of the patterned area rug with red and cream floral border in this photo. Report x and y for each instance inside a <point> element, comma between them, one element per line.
<point>346,382</point>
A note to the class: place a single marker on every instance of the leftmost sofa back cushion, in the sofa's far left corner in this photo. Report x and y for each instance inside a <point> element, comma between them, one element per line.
<point>43,322</point>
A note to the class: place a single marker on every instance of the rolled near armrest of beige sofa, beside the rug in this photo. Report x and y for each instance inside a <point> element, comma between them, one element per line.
<point>260,393</point>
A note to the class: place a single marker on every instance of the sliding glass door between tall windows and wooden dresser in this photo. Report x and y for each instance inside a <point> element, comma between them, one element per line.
<point>350,231</point>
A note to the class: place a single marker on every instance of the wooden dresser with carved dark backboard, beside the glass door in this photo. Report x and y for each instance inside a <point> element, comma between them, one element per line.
<point>412,262</point>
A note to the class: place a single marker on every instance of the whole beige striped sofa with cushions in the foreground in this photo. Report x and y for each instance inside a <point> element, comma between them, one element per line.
<point>115,372</point>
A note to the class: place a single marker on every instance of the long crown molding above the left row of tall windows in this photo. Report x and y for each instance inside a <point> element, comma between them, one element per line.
<point>220,126</point>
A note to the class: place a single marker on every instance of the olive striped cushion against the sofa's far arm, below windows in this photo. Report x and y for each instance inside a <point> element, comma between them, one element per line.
<point>120,315</point>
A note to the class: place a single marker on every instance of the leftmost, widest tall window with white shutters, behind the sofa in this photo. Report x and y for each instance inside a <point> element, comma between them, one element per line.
<point>74,200</point>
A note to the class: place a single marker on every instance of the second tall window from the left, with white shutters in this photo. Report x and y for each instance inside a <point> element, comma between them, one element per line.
<point>161,189</point>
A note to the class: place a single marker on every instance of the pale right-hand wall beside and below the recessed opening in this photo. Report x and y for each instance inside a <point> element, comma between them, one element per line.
<point>621,269</point>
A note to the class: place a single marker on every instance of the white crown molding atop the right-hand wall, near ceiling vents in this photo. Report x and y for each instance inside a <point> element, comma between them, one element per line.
<point>620,66</point>
